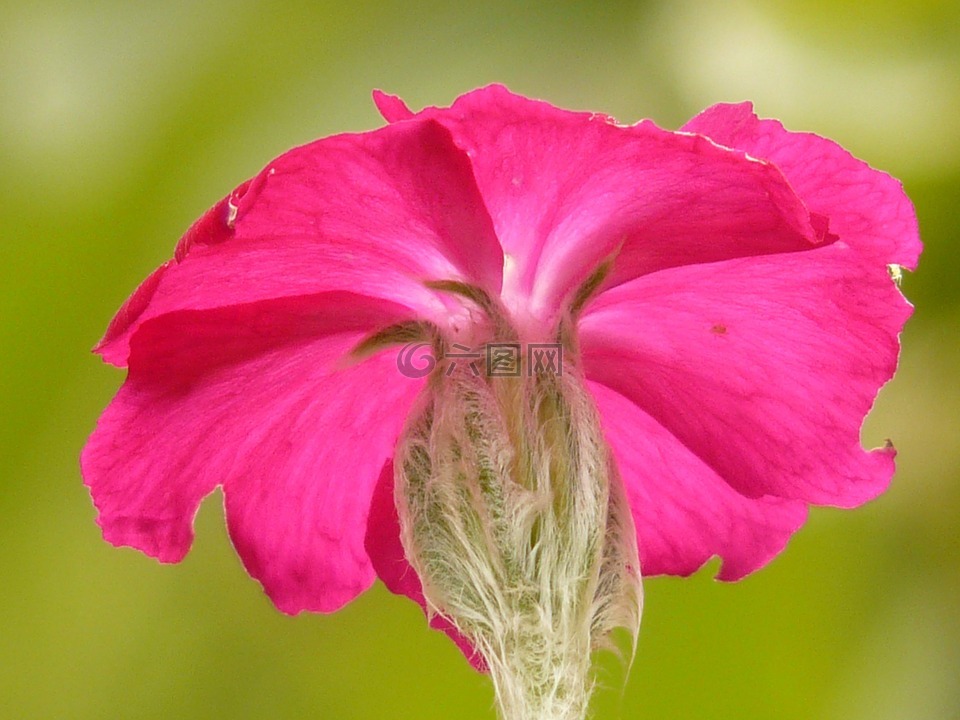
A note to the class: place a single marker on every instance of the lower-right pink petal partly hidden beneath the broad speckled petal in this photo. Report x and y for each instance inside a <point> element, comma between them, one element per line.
<point>683,510</point>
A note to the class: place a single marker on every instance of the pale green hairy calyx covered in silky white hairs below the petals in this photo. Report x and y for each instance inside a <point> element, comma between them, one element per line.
<point>513,516</point>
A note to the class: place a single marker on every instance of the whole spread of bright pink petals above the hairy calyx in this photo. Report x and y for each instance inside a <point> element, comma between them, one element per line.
<point>740,333</point>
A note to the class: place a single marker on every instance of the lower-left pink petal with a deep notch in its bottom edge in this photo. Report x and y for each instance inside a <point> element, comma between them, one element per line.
<point>255,398</point>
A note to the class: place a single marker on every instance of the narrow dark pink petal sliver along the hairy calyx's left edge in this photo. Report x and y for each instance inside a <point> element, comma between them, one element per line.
<point>390,562</point>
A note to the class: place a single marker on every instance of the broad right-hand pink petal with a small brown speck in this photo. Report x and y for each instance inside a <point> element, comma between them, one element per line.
<point>764,368</point>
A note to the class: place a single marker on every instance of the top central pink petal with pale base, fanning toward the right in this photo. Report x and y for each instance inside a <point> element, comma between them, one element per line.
<point>566,190</point>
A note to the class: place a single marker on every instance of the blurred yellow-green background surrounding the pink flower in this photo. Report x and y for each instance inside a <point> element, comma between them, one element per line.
<point>121,122</point>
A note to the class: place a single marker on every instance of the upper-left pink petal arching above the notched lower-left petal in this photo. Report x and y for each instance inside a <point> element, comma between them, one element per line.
<point>377,214</point>
